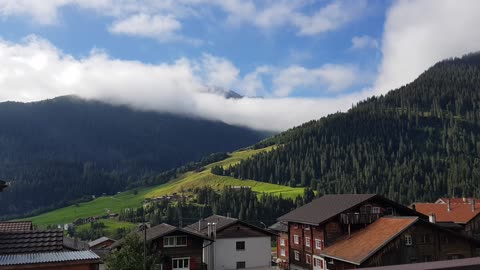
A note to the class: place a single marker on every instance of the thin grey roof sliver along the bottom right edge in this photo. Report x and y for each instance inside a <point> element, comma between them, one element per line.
<point>451,264</point>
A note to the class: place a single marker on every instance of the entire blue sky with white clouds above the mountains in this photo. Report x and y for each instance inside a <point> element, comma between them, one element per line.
<point>293,60</point>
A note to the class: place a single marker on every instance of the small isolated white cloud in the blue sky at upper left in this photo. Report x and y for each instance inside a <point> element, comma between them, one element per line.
<point>143,25</point>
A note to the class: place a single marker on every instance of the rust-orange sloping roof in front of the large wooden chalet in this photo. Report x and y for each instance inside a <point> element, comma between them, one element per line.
<point>366,242</point>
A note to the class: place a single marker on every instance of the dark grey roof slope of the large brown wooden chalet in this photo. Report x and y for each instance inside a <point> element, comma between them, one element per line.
<point>324,208</point>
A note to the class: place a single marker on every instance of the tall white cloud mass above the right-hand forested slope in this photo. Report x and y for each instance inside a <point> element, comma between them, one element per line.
<point>420,33</point>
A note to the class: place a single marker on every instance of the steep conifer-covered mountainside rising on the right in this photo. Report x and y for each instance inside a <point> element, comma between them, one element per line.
<point>416,143</point>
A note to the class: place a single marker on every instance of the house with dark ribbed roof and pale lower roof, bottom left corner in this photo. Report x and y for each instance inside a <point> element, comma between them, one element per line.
<point>42,250</point>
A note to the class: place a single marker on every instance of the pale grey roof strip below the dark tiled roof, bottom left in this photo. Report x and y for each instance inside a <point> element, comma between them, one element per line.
<point>48,257</point>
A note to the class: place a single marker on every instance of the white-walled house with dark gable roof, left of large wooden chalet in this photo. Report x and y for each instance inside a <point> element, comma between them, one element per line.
<point>237,244</point>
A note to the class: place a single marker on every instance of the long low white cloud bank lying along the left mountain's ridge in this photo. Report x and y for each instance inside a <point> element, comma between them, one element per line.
<point>35,70</point>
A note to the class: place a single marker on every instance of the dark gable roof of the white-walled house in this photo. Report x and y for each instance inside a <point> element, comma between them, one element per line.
<point>222,223</point>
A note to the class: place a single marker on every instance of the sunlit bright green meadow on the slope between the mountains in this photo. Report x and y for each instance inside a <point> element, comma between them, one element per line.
<point>187,181</point>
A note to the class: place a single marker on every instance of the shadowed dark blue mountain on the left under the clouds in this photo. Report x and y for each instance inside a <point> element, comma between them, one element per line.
<point>60,150</point>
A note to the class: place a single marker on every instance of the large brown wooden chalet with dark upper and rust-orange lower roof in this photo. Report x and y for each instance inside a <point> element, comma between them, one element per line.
<point>317,229</point>
